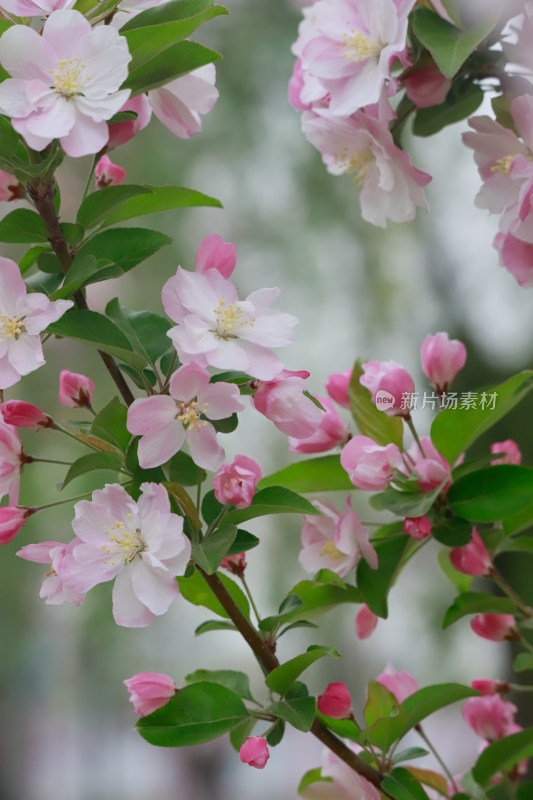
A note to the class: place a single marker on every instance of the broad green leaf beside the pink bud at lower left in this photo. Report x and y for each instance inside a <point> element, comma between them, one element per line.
<point>194,715</point>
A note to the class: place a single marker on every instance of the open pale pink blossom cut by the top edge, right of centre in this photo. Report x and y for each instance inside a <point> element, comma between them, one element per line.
<point>348,47</point>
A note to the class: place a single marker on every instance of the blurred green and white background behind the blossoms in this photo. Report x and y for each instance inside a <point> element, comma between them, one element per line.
<point>66,723</point>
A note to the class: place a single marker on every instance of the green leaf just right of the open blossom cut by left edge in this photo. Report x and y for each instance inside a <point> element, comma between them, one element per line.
<point>96,330</point>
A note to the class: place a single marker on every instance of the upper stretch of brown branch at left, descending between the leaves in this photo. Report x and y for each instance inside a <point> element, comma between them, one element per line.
<point>42,196</point>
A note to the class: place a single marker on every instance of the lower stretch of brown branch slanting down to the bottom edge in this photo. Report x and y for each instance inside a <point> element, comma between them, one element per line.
<point>269,662</point>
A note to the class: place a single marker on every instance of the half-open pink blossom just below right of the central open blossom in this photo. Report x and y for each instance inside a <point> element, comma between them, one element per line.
<point>283,402</point>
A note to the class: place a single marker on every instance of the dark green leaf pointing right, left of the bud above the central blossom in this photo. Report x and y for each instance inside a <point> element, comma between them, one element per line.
<point>124,248</point>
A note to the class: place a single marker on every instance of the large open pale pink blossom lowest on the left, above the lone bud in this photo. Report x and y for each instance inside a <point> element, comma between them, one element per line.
<point>140,544</point>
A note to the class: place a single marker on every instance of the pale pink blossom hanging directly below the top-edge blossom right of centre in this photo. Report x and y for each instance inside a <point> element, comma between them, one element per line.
<point>363,147</point>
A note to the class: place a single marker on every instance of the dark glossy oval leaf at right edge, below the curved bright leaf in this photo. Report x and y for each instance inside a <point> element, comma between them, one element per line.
<point>491,494</point>
